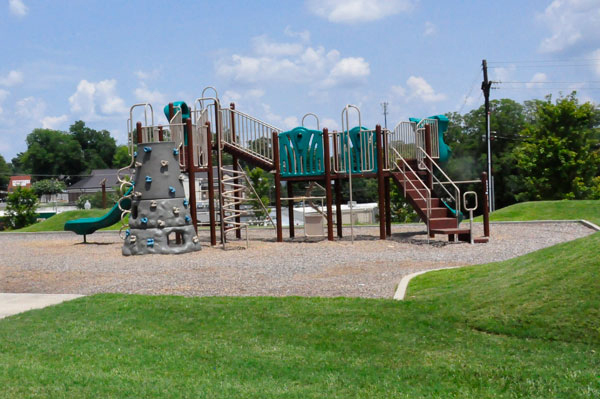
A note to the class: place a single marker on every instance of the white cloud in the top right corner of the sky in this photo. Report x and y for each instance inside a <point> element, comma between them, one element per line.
<point>571,23</point>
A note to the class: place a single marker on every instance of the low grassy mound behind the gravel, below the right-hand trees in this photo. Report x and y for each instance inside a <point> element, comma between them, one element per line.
<point>549,210</point>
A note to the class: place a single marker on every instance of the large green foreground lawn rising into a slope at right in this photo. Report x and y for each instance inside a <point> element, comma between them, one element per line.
<point>528,327</point>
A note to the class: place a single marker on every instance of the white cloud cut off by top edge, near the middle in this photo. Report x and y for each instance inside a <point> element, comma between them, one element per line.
<point>350,11</point>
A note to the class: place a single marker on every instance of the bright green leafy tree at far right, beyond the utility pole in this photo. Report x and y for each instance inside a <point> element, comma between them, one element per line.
<point>560,159</point>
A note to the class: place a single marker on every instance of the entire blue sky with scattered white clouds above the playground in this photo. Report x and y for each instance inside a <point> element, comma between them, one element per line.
<point>64,61</point>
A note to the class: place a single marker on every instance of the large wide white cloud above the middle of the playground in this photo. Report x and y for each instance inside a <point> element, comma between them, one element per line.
<point>294,63</point>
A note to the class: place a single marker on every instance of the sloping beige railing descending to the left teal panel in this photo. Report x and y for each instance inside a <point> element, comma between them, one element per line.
<point>248,133</point>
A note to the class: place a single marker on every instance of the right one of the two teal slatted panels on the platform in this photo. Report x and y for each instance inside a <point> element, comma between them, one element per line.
<point>363,148</point>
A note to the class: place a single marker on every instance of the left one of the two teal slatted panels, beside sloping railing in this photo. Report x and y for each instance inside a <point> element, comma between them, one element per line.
<point>301,152</point>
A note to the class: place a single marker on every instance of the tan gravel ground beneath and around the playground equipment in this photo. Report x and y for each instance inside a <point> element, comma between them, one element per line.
<point>60,263</point>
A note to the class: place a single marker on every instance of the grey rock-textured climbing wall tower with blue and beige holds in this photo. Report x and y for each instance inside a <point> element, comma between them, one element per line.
<point>160,221</point>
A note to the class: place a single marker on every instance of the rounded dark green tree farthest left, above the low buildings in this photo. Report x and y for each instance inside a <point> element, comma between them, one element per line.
<point>52,152</point>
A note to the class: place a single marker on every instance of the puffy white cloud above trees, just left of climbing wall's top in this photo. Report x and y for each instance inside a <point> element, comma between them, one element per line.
<point>91,98</point>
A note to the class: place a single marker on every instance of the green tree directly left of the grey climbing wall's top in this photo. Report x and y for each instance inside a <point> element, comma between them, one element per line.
<point>98,146</point>
